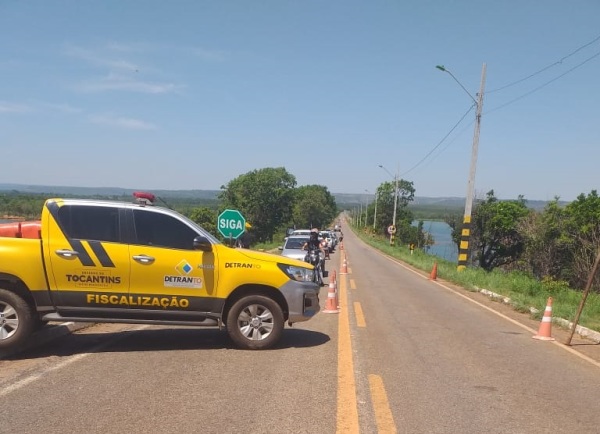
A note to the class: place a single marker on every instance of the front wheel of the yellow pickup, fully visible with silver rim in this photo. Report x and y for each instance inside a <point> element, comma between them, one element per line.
<point>255,322</point>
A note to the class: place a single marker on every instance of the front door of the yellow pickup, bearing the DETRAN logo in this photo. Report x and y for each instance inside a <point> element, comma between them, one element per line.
<point>169,278</point>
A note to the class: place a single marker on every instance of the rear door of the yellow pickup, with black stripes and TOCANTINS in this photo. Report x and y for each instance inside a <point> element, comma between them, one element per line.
<point>87,265</point>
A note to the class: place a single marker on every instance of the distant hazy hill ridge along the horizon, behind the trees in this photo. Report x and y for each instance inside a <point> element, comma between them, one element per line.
<point>344,200</point>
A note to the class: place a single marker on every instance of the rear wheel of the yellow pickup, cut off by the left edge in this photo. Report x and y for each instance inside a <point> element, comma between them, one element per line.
<point>16,320</point>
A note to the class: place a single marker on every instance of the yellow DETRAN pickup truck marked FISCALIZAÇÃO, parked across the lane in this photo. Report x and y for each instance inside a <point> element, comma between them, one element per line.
<point>101,261</point>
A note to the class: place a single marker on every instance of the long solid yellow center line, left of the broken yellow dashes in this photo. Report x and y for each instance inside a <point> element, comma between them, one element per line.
<point>347,408</point>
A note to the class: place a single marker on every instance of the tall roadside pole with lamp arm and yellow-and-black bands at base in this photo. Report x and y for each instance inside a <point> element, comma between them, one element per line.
<point>463,255</point>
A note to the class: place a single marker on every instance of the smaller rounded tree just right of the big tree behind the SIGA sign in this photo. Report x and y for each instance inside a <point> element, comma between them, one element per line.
<point>313,206</point>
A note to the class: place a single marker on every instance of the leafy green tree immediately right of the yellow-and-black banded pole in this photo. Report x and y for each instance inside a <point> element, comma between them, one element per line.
<point>495,239</point>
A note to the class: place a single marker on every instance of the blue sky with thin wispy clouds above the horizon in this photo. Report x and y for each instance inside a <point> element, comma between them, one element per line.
<point>158,94</point>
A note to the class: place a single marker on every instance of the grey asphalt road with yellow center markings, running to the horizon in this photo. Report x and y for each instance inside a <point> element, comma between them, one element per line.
<point>404,354</point>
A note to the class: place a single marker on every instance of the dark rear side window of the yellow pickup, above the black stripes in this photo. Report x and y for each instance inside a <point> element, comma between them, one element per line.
<point>90,222</point>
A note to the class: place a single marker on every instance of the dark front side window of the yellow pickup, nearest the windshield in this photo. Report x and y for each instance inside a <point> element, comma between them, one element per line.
<point>161,230</point>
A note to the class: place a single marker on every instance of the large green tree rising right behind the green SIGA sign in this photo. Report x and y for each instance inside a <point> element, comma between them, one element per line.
<point>264,197</point>
